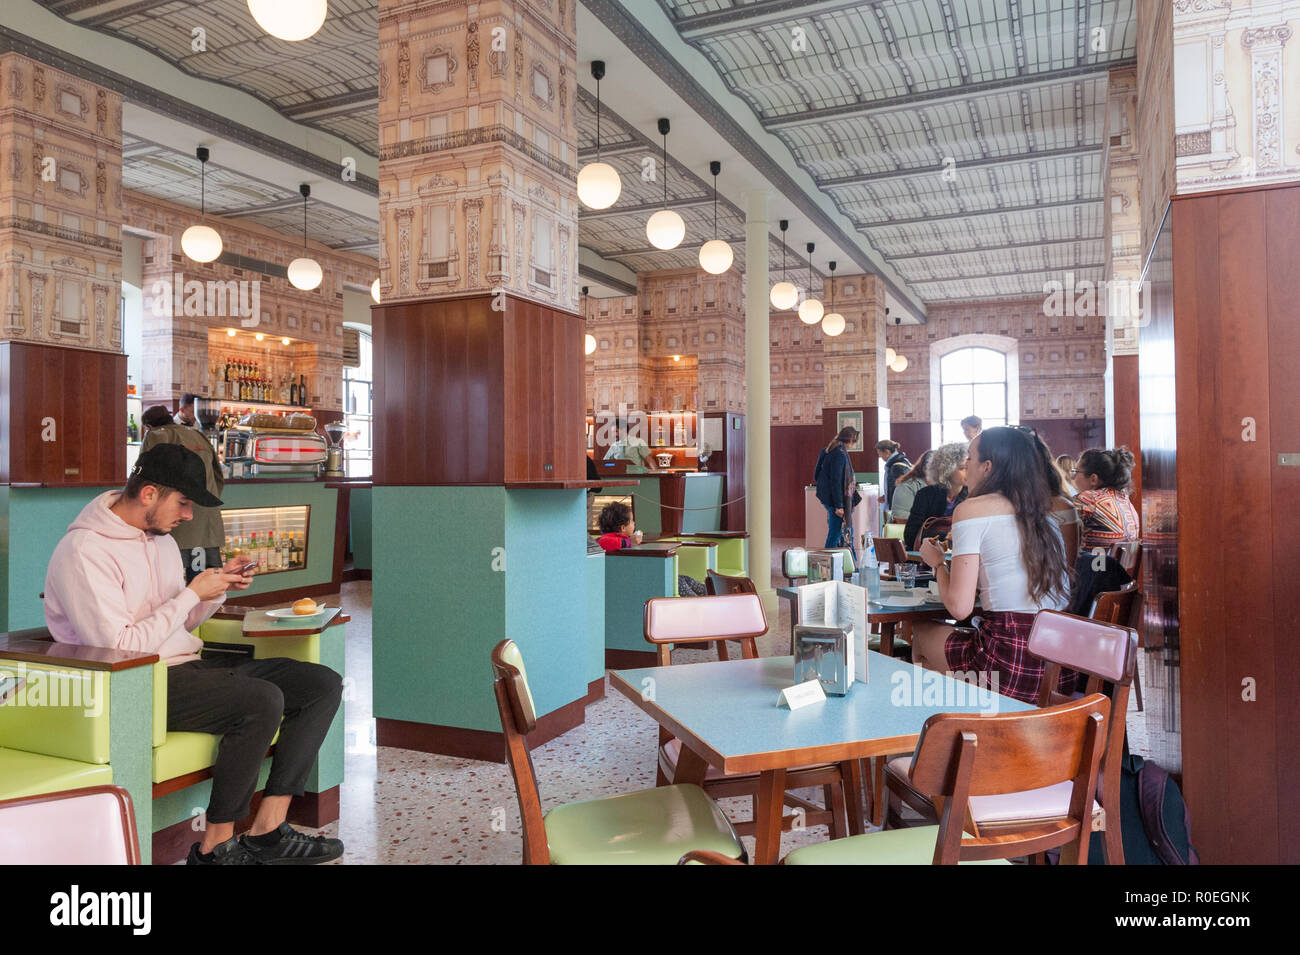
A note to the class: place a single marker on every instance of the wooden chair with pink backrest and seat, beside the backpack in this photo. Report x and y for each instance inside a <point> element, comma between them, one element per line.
<point>1107,654</point>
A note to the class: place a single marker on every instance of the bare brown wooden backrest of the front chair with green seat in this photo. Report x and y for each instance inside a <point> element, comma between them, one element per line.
<point>960,756</point>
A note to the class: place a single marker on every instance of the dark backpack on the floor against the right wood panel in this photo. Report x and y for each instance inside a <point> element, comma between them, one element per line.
<point>1158,830</point>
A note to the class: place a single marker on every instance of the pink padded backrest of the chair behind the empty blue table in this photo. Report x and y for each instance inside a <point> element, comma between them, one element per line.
<point>690,620</point>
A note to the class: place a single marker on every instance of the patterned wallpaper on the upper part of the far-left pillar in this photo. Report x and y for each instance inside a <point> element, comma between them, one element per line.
<point>60,207</point>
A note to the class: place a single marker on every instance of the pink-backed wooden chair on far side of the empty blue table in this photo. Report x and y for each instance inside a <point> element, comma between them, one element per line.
<point>713,620</point>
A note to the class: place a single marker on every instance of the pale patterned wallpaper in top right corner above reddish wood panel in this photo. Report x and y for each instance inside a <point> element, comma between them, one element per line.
<point>1237,93</point>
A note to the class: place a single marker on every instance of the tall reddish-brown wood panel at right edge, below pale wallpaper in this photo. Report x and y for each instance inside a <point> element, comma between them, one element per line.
<point>1237,301</point>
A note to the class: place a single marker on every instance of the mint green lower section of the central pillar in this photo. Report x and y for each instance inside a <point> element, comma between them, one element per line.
<point>457,570</point>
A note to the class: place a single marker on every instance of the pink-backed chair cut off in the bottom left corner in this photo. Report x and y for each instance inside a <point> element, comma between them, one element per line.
<point>79,827</point>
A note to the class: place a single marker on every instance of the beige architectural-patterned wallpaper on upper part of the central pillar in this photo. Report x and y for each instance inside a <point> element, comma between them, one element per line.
<point>478,150</point>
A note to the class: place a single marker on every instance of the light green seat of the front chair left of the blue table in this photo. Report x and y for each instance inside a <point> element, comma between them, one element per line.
<point>655,827</point>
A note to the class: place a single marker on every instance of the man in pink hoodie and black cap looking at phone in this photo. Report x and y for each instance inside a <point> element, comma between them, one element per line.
<point>116,581</point>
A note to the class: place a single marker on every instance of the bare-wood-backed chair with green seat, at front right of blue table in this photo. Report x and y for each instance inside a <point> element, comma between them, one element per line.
<point>964,758</point>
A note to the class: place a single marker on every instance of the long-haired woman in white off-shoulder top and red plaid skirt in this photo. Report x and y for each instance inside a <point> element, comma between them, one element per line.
<point>1007,546</point>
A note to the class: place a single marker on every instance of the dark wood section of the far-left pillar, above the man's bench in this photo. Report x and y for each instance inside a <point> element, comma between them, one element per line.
<point>63,416</point>
